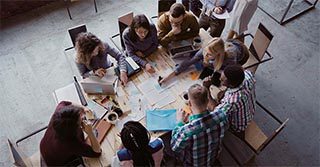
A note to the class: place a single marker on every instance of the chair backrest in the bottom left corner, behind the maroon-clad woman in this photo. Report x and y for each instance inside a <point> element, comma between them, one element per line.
<point>17,156</point>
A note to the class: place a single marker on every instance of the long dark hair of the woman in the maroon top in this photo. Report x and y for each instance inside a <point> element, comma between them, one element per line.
<point>66,123</point>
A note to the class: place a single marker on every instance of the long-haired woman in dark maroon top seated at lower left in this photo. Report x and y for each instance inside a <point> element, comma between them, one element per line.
<point>63,141</point>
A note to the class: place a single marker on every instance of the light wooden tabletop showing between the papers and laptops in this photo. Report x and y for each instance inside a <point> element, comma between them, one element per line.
<point>163,62</point>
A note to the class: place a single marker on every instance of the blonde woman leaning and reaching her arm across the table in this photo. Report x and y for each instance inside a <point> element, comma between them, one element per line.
<point>216,56</point>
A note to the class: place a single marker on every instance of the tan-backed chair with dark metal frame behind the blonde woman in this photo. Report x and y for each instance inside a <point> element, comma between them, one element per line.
<point>258,48</point>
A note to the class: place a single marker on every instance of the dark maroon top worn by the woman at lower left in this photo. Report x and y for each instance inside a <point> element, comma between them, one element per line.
<point>56,152</point>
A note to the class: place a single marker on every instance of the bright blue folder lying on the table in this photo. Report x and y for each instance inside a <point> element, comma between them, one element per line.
<point>161,119</point>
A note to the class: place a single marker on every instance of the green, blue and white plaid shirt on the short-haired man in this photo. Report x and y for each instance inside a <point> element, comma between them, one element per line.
<point>197,143</point>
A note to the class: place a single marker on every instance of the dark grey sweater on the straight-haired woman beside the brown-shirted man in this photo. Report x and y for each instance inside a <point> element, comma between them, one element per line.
<point>147,46</point>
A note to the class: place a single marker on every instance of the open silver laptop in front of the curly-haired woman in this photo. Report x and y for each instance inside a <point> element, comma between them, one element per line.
<point>96,85</point>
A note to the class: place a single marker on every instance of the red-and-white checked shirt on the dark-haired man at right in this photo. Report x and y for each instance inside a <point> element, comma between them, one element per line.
<point>239,103</point>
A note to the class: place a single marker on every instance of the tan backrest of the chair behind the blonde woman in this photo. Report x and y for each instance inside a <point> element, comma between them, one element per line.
<point>260,42</point>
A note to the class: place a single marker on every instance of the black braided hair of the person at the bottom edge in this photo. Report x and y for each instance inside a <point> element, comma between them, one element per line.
<point>135,137</point>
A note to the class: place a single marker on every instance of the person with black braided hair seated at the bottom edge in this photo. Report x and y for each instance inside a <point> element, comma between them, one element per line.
<point>138,150</point>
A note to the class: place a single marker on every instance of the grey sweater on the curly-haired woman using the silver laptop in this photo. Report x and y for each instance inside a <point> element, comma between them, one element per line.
<point>102,60</point>
